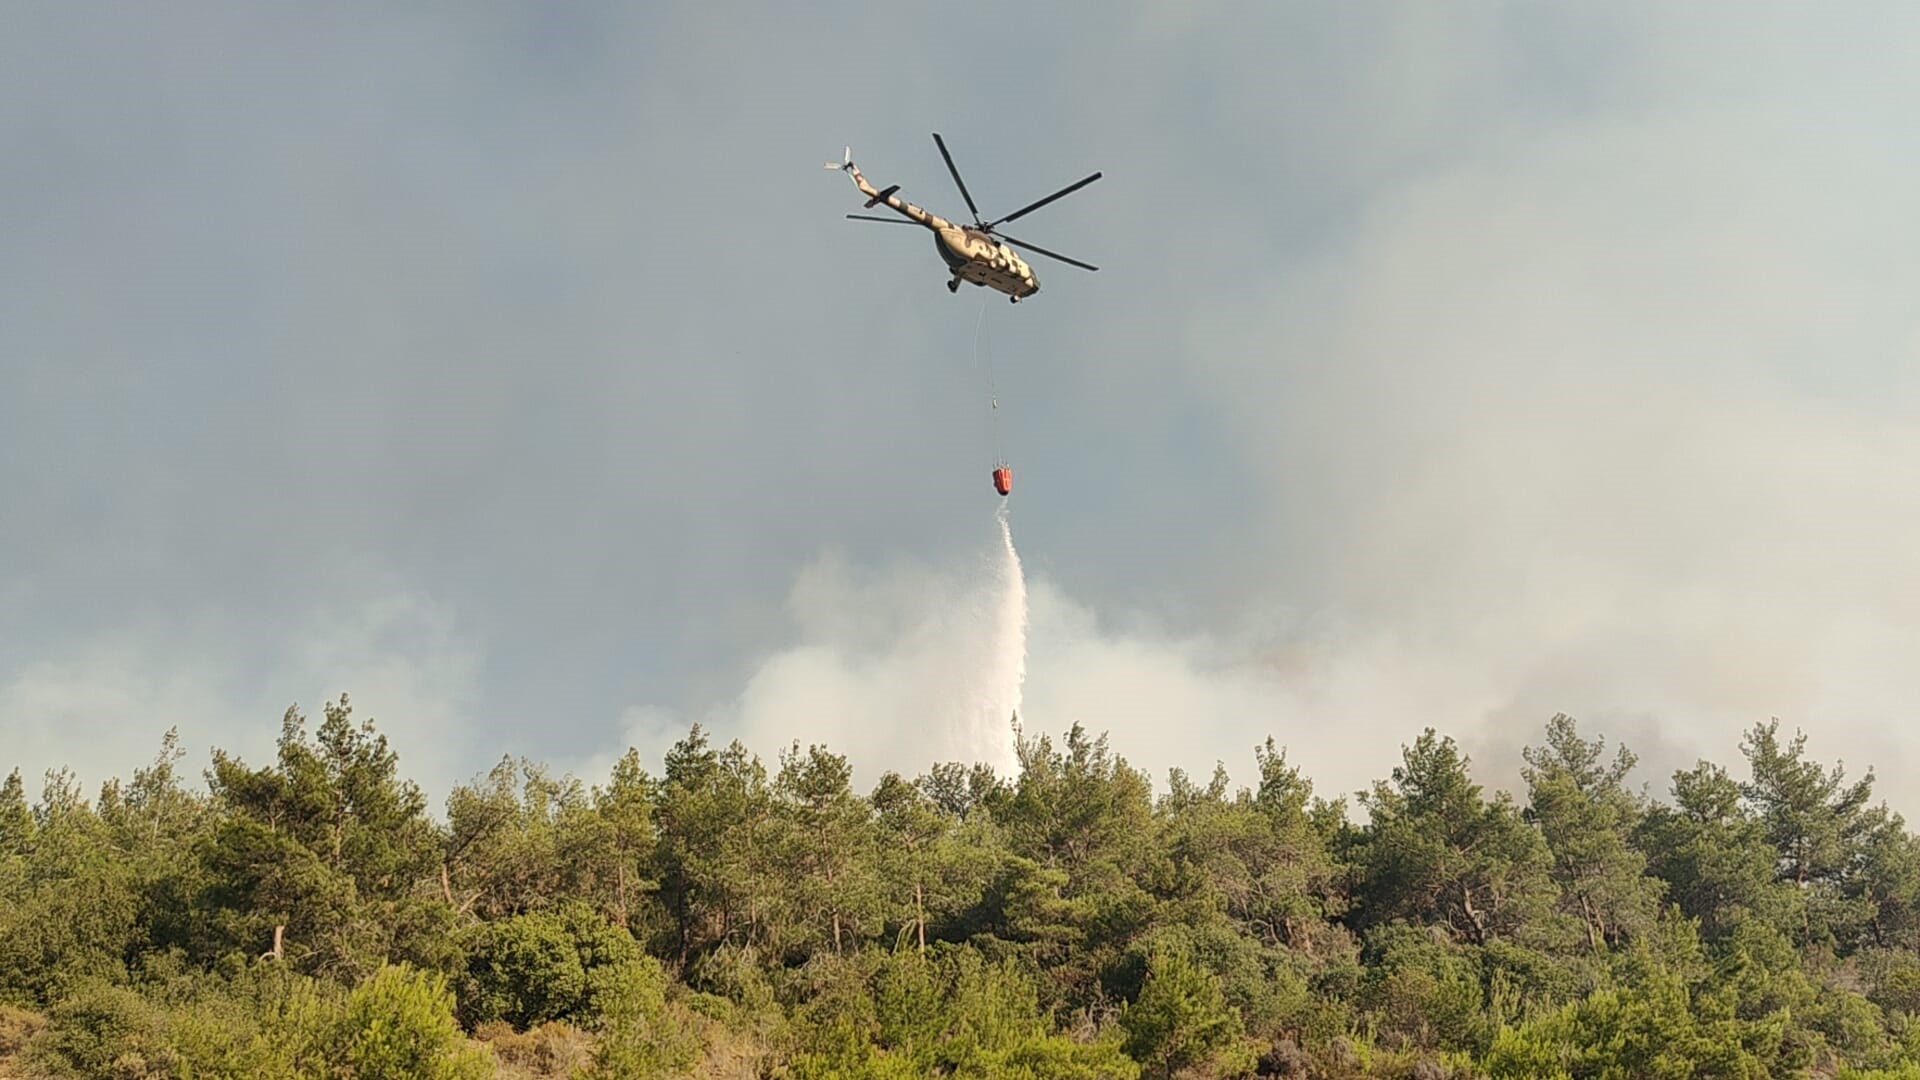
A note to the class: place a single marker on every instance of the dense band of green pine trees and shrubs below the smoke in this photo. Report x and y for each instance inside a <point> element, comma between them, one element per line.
<point>312,918</point>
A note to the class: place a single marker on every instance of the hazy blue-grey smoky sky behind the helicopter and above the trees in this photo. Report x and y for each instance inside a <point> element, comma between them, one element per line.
<point>514,370</point>
